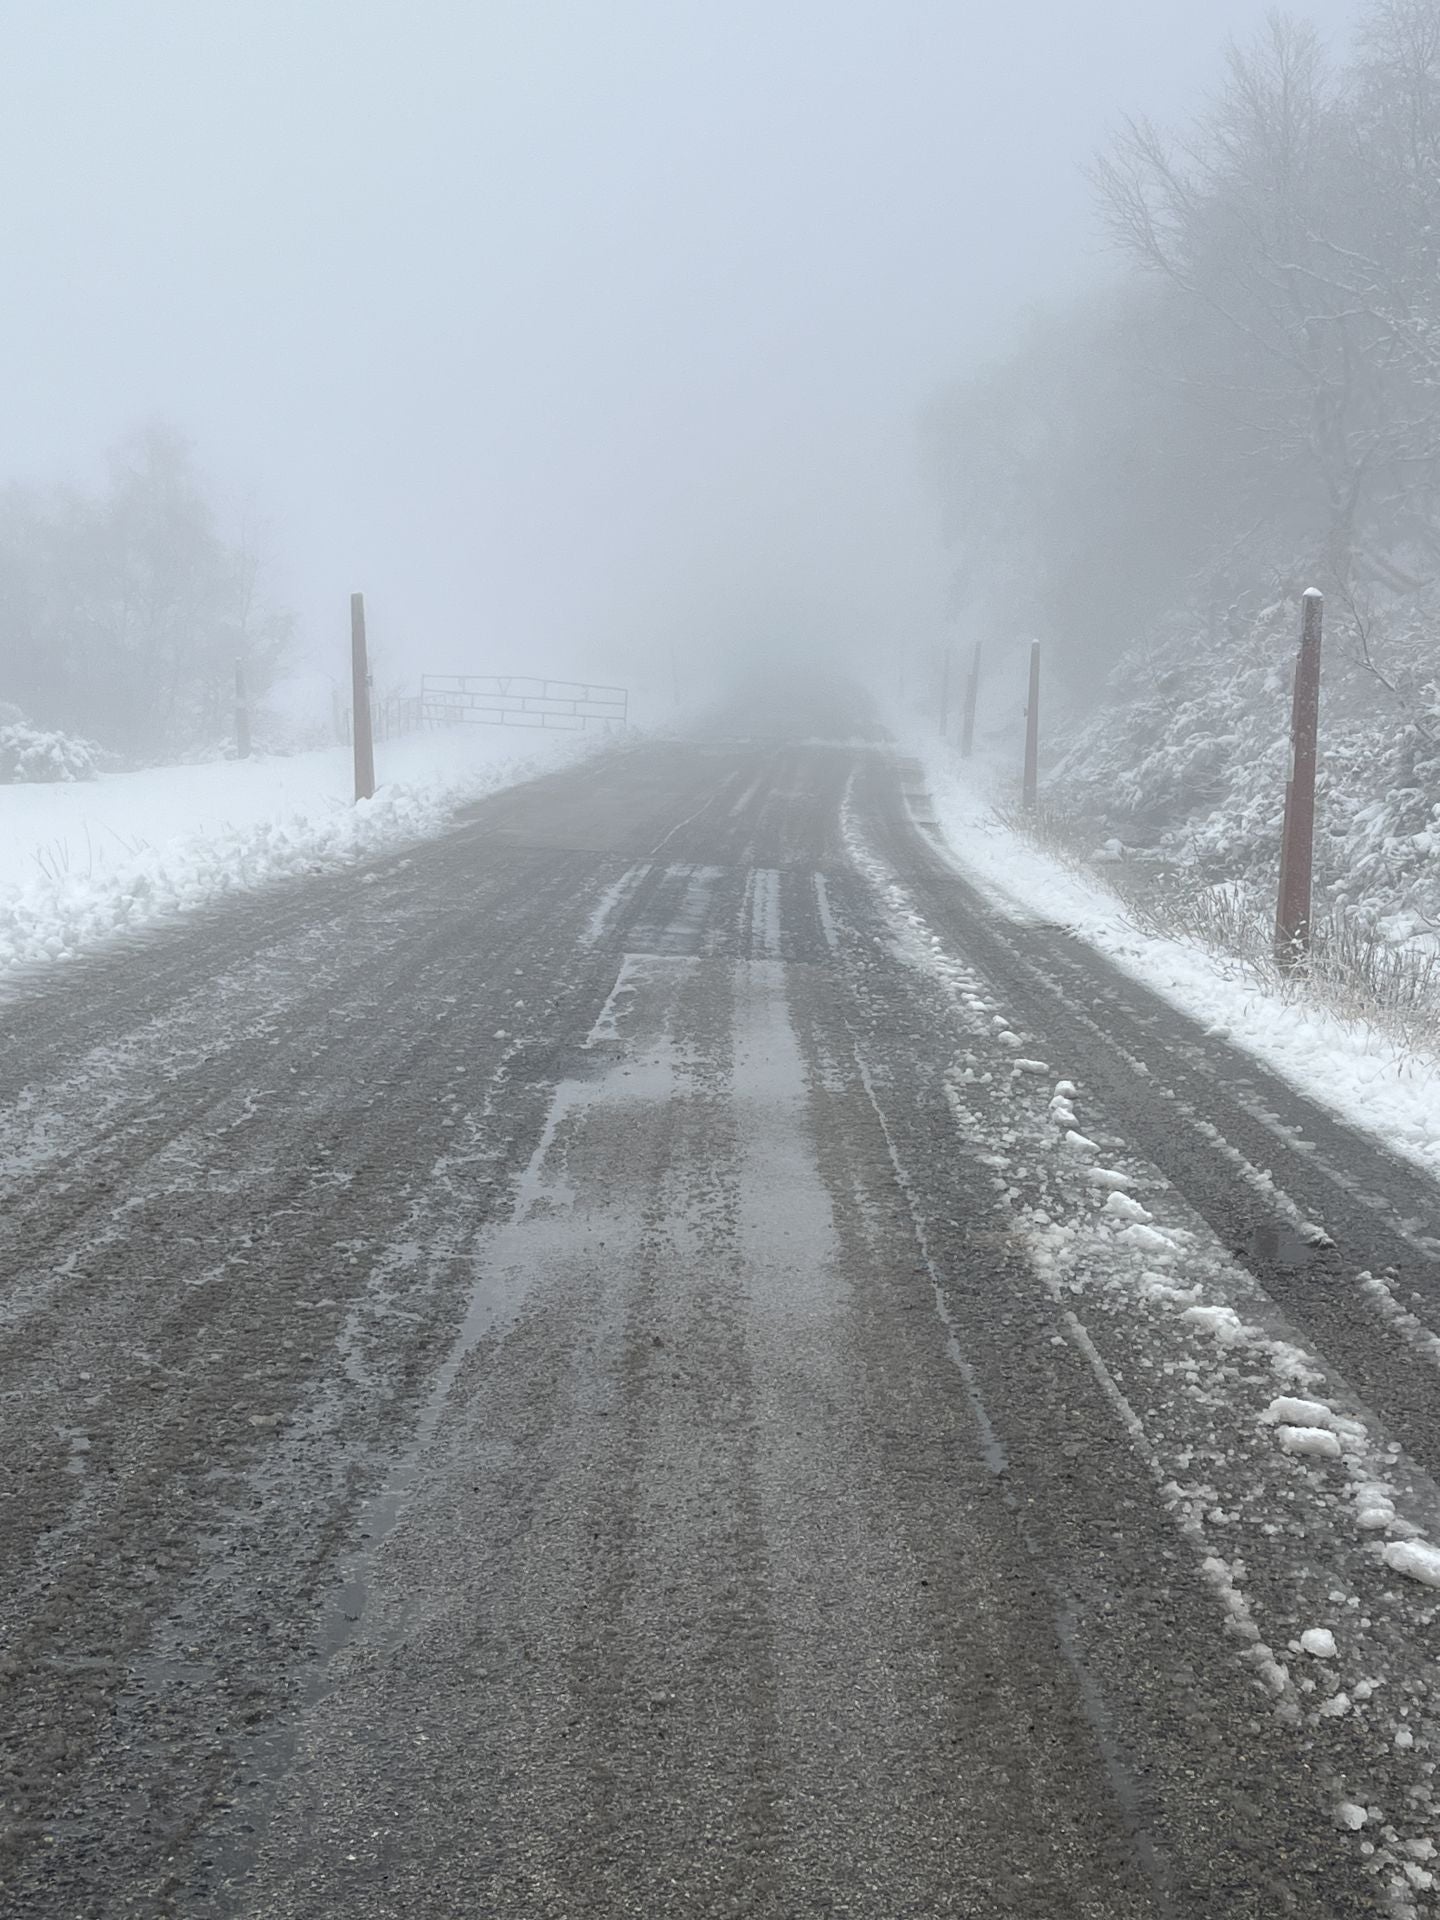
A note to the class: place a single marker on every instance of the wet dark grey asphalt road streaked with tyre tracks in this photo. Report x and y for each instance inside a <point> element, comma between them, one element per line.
<point>519,1399</point>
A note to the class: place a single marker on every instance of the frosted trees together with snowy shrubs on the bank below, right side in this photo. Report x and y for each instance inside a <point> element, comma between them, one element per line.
<point>1153,479</point>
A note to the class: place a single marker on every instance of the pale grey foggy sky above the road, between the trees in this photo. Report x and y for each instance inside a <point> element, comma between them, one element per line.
<point>560,329</point>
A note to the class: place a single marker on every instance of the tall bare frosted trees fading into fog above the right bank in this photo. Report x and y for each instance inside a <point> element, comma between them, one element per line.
<point>1257,402</point>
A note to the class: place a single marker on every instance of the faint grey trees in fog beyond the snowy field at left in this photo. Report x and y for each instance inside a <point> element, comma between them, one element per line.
<point>124,612</point>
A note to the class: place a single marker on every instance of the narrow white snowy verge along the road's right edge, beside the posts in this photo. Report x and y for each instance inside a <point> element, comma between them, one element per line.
<point>1356,1070</point>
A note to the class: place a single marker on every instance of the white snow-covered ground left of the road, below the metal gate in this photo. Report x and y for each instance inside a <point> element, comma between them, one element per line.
<point>82,863</point>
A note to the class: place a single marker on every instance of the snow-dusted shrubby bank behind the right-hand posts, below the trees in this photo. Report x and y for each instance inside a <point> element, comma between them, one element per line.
<point>1188,757</point>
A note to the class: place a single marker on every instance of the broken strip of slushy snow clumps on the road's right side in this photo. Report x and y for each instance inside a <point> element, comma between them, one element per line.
<point>1308,1524</point>
